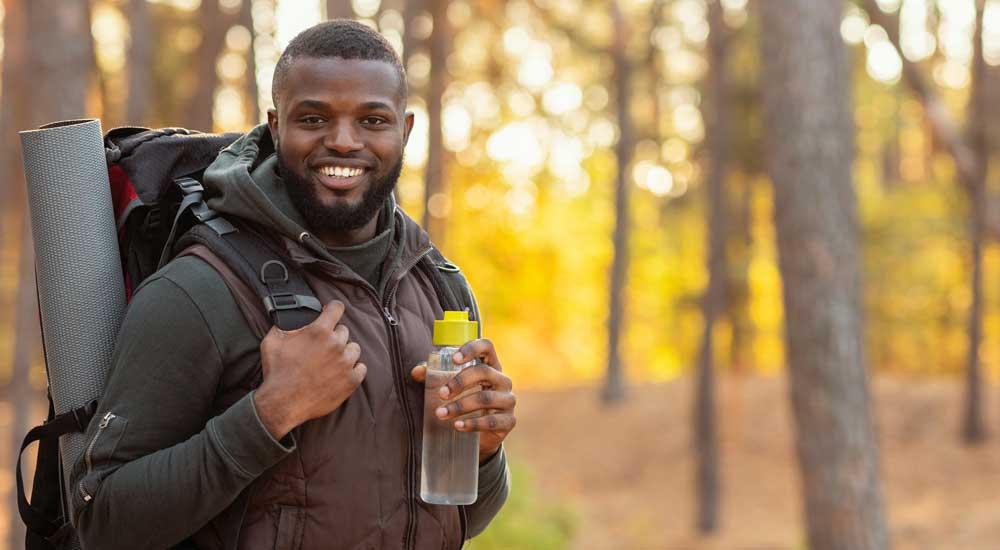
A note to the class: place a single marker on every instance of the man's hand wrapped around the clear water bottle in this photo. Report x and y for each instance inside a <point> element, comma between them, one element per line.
<point>496,400</point>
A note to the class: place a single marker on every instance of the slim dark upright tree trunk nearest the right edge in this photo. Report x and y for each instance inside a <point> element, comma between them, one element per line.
<point>973,429</point>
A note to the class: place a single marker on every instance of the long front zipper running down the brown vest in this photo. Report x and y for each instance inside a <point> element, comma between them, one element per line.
<point>392,325</point>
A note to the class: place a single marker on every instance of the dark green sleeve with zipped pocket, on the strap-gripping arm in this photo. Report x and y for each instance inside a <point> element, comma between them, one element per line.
<point>158,465</point>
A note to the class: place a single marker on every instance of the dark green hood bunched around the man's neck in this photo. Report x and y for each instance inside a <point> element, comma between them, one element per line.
<point>243,182</point>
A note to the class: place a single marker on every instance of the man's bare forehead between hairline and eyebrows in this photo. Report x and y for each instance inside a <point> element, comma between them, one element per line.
<point>359,80</point>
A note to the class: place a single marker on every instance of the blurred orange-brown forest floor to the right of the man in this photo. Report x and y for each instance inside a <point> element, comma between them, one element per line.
<point>627,471</point>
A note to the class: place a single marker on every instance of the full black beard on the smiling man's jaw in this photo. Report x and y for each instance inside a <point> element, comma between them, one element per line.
<point>338,217</point>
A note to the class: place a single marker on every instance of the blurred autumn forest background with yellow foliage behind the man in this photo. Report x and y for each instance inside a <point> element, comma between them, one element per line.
<point>641,192</point>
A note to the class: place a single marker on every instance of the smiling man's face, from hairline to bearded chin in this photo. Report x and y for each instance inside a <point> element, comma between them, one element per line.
<point>340,129</point>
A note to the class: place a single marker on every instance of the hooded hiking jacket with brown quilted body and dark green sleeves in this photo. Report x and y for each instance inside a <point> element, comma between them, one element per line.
<point>178,456</point>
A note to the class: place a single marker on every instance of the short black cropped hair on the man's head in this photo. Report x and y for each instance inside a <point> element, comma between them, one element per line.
<point>341,38</point>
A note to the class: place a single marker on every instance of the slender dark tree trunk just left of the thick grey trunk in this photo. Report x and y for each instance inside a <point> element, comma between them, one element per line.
<point>713,302</point>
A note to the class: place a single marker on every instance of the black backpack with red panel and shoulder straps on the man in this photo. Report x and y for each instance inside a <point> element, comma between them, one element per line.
<point>159,209</point>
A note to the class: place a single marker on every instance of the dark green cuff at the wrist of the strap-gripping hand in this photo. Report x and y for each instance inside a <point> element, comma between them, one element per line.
<point>245,442</point>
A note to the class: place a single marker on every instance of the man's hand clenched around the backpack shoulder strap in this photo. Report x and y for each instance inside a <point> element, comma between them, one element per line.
<point>308,372</point>
